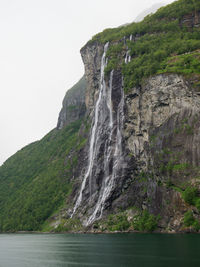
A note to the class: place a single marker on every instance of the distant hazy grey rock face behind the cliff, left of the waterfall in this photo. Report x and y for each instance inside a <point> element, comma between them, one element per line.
<point>73,107</point>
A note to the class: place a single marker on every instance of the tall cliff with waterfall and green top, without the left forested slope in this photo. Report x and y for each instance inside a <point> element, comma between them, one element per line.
<point>143,150</point>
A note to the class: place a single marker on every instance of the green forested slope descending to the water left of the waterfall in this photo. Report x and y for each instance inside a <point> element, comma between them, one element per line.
<point>35,182</point>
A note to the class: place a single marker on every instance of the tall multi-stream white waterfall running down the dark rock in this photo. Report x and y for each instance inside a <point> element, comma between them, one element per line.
<point>105,149</point>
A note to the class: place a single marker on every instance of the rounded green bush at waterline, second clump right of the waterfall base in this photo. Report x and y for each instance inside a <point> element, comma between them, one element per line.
<point>145,222</point>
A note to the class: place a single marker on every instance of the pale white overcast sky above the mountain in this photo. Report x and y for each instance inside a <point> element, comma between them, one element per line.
<point>40,42</point>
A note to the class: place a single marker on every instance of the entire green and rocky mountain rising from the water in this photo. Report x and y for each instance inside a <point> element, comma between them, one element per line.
<point>125,154</point>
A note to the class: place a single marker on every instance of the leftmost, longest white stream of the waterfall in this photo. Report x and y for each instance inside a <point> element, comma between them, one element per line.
<point>94,133</point>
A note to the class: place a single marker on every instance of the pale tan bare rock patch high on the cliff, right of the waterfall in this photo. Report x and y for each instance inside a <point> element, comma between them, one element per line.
<point>164,99</point>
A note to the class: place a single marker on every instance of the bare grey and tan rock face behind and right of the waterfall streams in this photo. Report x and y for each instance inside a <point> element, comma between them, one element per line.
<point>160,128</point>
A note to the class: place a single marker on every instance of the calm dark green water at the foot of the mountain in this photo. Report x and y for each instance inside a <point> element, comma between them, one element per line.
<point>135,250</point>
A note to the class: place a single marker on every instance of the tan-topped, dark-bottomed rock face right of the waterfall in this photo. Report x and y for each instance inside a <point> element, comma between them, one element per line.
<point>162,134</point>
